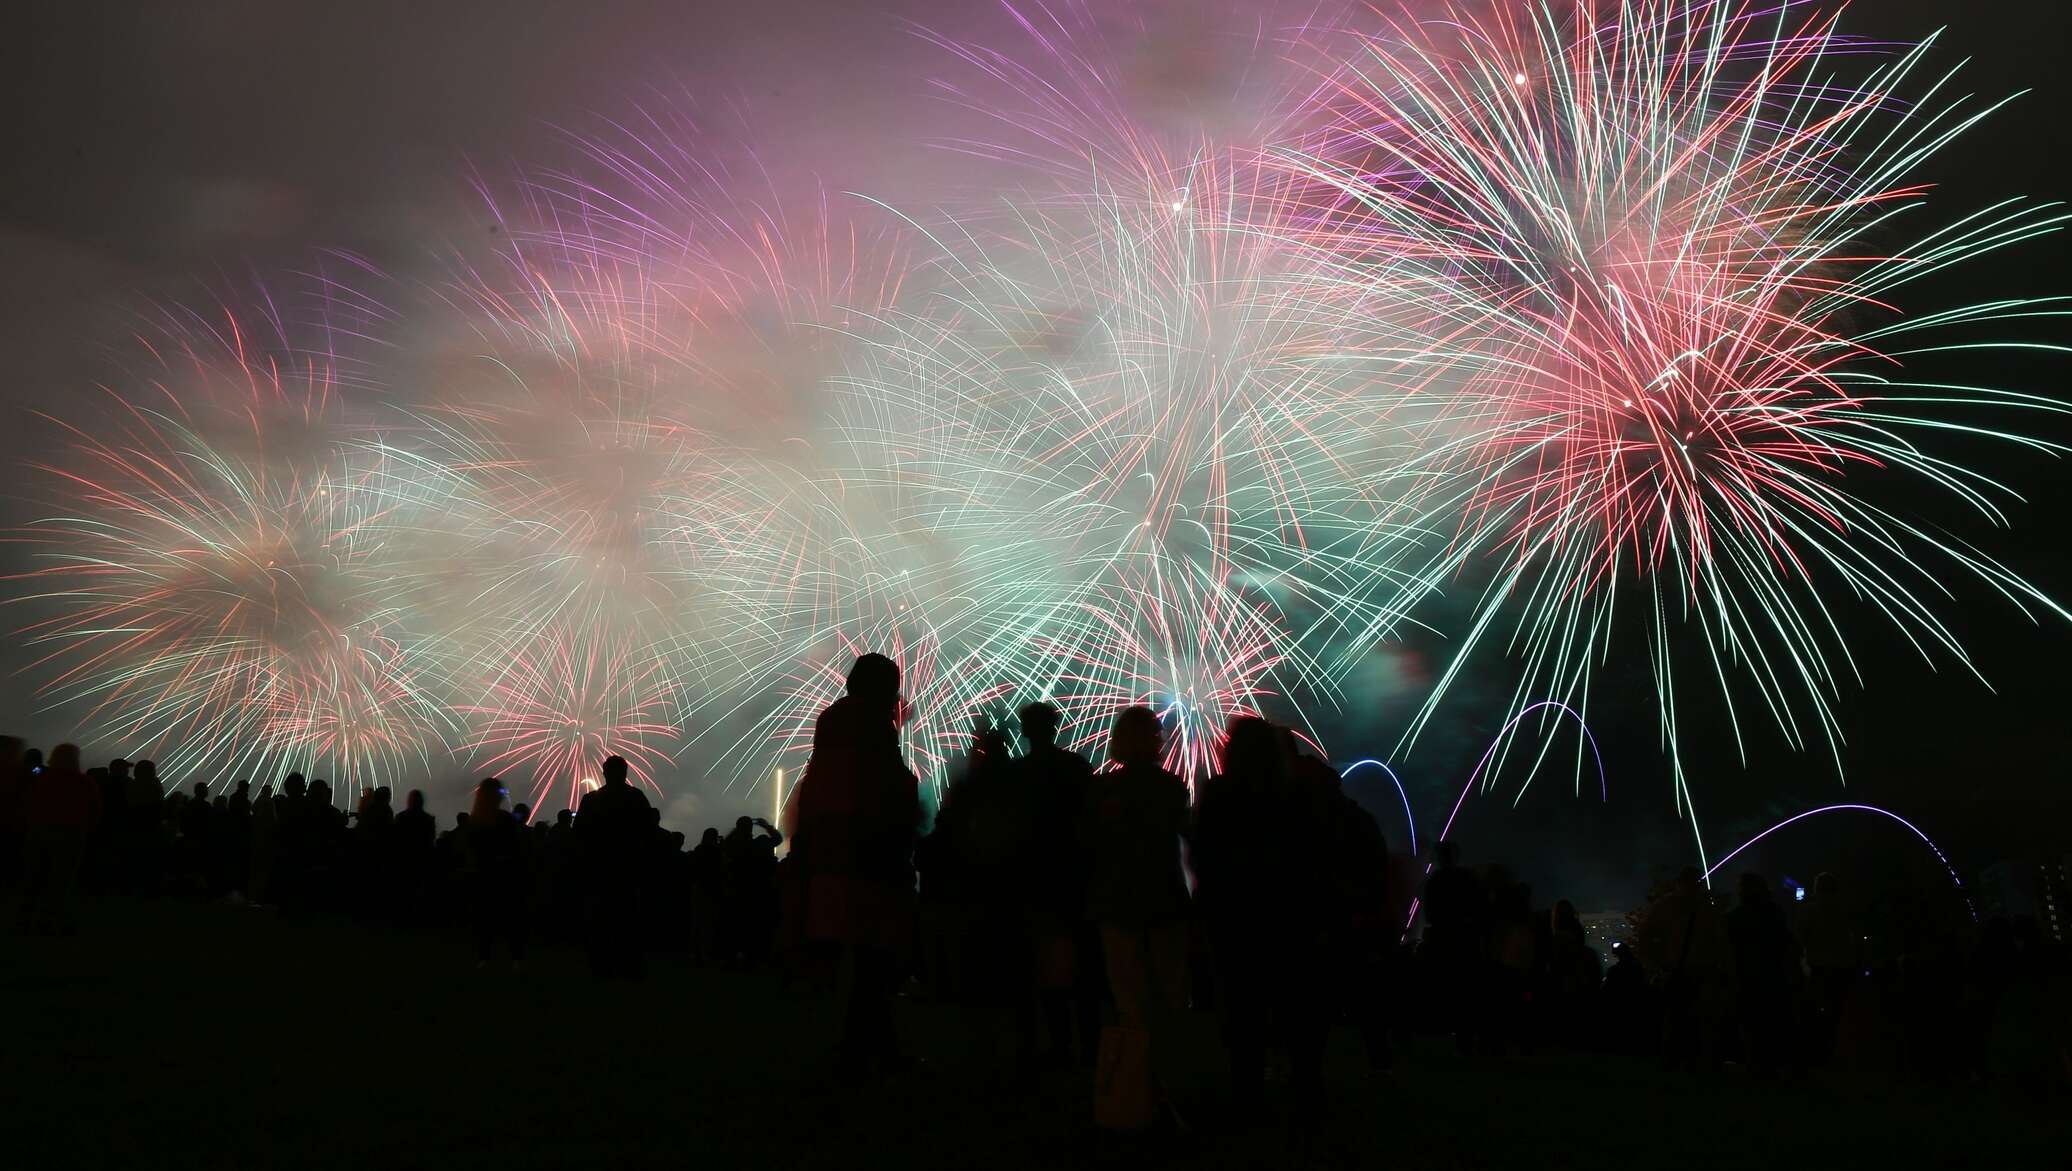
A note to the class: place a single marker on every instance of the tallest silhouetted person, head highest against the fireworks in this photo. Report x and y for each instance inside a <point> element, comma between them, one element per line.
<point>853,853</point>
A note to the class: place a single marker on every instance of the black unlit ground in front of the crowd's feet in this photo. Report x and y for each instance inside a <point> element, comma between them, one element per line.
<point>183,1035</point>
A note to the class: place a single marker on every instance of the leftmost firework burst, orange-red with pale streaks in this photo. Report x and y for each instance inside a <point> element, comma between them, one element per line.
<point>212,575</point>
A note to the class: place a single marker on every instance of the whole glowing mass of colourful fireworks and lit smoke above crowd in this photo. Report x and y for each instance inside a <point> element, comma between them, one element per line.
<point>1601,314</point>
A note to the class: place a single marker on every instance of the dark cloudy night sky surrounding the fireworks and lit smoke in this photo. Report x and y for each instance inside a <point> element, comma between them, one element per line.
<point>156,150</point>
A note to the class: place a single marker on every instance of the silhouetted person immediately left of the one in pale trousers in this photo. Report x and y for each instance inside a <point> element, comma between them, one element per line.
<point>1062,942</point>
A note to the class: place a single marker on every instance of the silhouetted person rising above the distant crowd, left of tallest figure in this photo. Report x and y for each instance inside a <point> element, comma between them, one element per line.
<point>612,832</point>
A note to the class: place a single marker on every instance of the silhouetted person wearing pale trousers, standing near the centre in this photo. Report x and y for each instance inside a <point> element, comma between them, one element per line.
<point>1136,894</point>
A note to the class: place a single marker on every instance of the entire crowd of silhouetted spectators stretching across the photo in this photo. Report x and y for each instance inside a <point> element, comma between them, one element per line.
<point>1076,913</point>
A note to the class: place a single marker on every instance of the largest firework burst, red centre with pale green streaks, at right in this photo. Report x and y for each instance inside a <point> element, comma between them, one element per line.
<point>1652,241</point>
